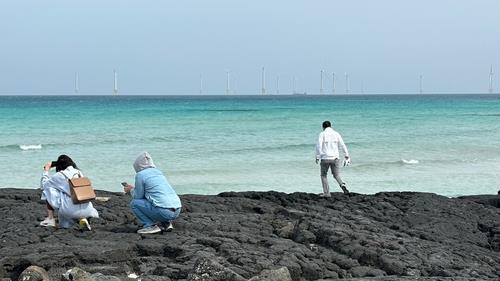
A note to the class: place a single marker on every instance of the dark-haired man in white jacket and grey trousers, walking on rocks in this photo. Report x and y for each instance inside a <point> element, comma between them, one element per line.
<point>327,151</point>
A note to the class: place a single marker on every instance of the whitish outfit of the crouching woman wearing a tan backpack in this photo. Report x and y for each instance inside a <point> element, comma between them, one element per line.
<point>55,189</point>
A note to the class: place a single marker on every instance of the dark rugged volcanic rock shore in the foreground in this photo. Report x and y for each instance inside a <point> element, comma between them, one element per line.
<point>261,236</point>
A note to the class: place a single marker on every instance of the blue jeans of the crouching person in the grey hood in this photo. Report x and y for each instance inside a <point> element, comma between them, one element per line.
<point>149,215</point>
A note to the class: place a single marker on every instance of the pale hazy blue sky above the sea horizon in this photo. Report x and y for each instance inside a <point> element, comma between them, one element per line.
<point>164,47</point>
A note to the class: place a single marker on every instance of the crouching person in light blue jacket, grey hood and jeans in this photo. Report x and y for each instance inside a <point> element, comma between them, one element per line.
<point>154,201</point>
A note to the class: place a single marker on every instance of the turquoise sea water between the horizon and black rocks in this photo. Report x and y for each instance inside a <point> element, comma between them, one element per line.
<point>447,144</point>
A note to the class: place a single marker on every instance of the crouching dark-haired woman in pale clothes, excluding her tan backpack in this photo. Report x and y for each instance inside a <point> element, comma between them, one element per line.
<point>57,193</point>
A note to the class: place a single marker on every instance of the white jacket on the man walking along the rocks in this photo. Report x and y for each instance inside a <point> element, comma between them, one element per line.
<point>328,145</point>
